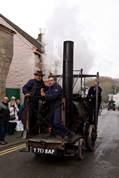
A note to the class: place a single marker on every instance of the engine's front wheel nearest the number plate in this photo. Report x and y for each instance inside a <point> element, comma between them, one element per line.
<point>80,152</point>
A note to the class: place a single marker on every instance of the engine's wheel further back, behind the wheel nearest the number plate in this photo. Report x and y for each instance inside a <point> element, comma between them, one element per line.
<point>91,138</point>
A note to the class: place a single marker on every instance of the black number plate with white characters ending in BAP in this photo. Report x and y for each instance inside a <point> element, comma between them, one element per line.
<point>43,151</point>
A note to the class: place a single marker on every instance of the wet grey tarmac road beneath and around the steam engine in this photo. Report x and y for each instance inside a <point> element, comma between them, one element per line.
<point>103,163</point>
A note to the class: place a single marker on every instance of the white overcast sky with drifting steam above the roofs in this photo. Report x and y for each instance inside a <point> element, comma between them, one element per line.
<point>92,25</point>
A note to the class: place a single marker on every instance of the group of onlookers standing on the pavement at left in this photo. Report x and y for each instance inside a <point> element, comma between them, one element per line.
<point>9,117</point>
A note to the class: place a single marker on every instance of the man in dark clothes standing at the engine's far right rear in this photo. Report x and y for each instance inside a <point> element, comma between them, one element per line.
<point>94,90</point>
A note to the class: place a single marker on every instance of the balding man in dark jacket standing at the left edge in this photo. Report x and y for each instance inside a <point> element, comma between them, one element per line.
<point>4,118</point>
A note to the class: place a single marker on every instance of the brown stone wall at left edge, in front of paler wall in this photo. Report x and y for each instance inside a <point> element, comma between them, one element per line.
<point>6,54</point>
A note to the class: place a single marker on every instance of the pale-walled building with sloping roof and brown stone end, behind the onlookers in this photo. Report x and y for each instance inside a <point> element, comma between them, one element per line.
<point>20,56</point>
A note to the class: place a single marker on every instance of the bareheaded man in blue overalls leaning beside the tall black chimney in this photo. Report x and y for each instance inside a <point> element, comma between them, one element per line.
<point>53,96</point>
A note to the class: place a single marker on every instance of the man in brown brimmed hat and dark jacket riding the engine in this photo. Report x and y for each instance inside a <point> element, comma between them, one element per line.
<point>31,90</point>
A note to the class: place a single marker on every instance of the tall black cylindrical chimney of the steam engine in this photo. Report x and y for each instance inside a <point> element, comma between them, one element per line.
<point>68,79</point>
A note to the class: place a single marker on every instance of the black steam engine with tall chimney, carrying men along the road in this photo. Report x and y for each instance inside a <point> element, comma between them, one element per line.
<point>75,115</point>
